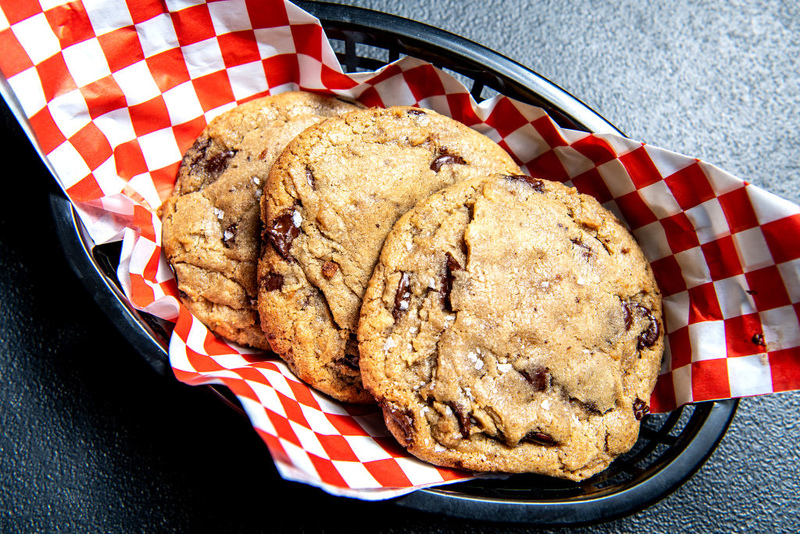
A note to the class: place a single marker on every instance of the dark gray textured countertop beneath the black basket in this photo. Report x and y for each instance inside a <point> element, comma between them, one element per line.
<point>93,440</point>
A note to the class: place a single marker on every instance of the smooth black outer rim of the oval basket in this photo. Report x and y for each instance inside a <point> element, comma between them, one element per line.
<point>717,415</point>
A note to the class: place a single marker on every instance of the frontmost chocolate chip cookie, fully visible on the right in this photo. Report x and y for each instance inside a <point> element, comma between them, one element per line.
<point>512,325</point>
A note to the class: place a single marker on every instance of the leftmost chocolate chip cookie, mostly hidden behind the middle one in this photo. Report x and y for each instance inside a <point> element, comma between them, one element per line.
<point>211,223</point>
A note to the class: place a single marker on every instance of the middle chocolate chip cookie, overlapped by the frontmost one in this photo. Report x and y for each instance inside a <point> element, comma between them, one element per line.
<point>329,202</point>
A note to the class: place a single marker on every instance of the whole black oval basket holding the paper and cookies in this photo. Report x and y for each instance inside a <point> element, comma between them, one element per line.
<point>671,447</point>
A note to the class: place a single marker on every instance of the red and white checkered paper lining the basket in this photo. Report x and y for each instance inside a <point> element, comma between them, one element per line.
<point>114,93</point>
